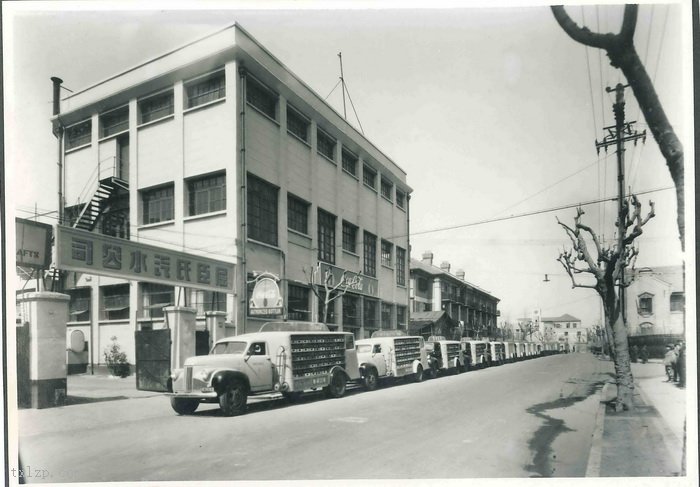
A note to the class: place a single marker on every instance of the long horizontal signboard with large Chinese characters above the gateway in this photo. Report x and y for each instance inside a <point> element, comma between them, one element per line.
<point>78,250</point>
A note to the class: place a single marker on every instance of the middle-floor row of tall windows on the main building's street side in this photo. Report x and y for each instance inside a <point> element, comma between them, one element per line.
<point>262,207</point>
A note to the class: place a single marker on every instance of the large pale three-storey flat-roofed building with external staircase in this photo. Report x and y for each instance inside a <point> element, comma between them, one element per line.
<point>218,150</point>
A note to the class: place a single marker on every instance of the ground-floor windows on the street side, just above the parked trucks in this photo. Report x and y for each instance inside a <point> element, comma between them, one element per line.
<point>374,314</point>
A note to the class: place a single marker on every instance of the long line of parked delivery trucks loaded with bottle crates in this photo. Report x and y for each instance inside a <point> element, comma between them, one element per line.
<point>293,357</point>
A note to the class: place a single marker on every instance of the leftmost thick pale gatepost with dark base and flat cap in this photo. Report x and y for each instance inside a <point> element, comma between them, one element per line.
<point>48,315</point>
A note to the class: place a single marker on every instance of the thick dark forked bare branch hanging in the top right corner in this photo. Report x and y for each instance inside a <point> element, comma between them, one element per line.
<point>620,49</point>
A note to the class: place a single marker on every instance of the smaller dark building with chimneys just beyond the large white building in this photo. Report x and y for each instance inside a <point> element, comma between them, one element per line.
<point>436,289</point>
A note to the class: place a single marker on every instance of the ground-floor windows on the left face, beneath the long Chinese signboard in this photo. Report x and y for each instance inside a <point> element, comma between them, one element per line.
<point>114,301</point>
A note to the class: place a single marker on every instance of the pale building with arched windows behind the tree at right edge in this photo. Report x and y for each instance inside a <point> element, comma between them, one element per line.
<point>656,301</point>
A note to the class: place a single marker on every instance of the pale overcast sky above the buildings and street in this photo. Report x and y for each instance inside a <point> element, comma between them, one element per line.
<point>491,112</point>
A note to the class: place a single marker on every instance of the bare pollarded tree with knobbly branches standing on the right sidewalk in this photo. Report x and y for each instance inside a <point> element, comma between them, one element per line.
<point>607,267</point>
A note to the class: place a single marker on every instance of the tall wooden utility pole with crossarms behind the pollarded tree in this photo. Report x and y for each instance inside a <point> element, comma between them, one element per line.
<point>617,135</point>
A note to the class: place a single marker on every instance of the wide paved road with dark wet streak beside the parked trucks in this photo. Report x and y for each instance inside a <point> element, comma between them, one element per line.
<point>529,419</point>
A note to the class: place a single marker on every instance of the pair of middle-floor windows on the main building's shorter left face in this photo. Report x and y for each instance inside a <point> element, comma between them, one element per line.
<point>205,194</point>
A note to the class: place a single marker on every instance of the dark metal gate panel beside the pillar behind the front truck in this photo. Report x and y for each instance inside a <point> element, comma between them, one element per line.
<point>153,360</point>
